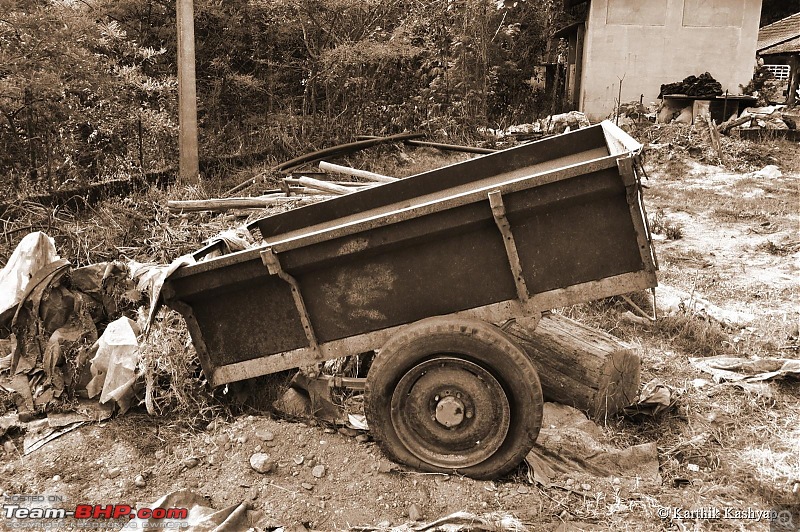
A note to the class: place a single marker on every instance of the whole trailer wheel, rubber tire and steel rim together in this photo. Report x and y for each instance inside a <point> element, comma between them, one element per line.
<point>454,395</point>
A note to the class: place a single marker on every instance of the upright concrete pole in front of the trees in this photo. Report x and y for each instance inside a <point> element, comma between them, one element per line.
<point>187,95</point>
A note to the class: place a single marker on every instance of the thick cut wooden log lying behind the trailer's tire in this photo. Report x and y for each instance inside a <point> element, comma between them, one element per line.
<point>580,366</point>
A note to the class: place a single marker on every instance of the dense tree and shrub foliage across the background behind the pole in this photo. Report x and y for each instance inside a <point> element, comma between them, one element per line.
<point>88,90</point>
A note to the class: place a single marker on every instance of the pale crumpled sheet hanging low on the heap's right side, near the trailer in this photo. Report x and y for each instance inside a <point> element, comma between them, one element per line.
<point>114,364</point>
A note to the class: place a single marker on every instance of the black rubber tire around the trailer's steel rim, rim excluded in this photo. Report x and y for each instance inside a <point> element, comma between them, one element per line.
<point>474,340</point>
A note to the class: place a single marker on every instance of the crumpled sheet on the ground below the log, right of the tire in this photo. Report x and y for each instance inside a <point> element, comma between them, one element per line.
<point>570,443</point>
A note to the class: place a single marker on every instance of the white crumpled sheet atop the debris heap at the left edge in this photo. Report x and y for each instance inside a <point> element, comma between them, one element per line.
<point>34,252</point>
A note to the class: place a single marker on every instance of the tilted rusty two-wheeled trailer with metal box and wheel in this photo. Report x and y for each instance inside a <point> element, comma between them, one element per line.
<point>421,270</point>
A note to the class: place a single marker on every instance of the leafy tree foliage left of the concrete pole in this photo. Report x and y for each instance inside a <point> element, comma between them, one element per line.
<point>73,93</point>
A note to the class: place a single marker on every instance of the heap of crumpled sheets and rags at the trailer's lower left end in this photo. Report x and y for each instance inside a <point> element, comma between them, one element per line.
<point>56,352</point>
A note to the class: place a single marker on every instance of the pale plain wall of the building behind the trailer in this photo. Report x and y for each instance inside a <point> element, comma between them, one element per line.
<point>653,42</point>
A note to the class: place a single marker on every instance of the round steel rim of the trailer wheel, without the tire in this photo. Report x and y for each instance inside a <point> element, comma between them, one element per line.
<point>450,412</point>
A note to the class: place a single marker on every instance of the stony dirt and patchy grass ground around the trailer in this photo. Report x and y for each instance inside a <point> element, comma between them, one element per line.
<point>731,236</point>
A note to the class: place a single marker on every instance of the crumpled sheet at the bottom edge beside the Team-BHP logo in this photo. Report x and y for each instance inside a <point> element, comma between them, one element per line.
<point>201,518</point>
